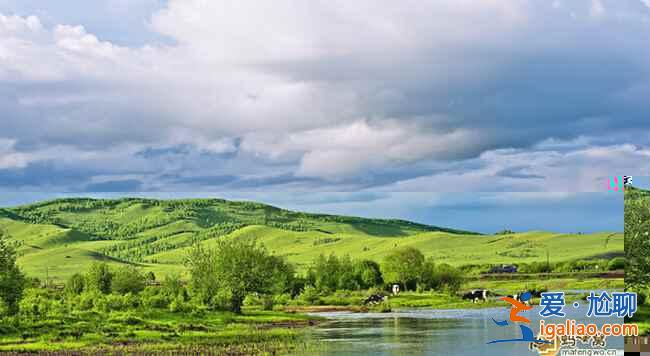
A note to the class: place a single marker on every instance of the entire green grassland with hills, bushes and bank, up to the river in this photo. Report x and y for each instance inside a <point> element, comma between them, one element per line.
<point>143,275</point>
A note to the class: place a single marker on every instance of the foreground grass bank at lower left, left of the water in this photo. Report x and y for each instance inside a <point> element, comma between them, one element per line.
<point>253,332</point>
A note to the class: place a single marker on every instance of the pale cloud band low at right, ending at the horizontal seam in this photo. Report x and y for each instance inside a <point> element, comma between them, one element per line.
<point>577,170</point>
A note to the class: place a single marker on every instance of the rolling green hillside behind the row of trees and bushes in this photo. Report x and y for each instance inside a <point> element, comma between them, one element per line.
<point>63,236</point>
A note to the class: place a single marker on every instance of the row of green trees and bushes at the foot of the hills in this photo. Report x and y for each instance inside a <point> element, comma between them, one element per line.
<point>221,278</point>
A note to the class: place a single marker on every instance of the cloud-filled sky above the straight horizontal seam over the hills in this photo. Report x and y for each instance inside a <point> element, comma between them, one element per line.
<point>322,96</point>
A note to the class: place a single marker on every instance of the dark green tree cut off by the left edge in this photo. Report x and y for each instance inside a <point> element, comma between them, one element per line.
<point>12,280</point>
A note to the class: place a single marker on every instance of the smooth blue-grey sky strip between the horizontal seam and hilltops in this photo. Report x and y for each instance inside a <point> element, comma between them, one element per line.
<point>482,212</point>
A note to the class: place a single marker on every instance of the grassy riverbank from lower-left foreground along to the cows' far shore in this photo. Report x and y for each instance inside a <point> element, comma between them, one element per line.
<point>102,329</point>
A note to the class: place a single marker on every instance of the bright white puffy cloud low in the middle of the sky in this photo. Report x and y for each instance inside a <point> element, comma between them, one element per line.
<point>344,151</point>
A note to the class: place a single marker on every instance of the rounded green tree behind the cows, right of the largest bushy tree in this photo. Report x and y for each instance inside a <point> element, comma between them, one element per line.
<point>403,265</point>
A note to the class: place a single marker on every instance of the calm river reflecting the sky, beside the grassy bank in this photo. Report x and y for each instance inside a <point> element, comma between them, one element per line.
<point>436,332</point>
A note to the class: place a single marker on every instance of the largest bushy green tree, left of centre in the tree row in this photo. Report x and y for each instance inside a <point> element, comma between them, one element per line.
<point>236,268</point>
